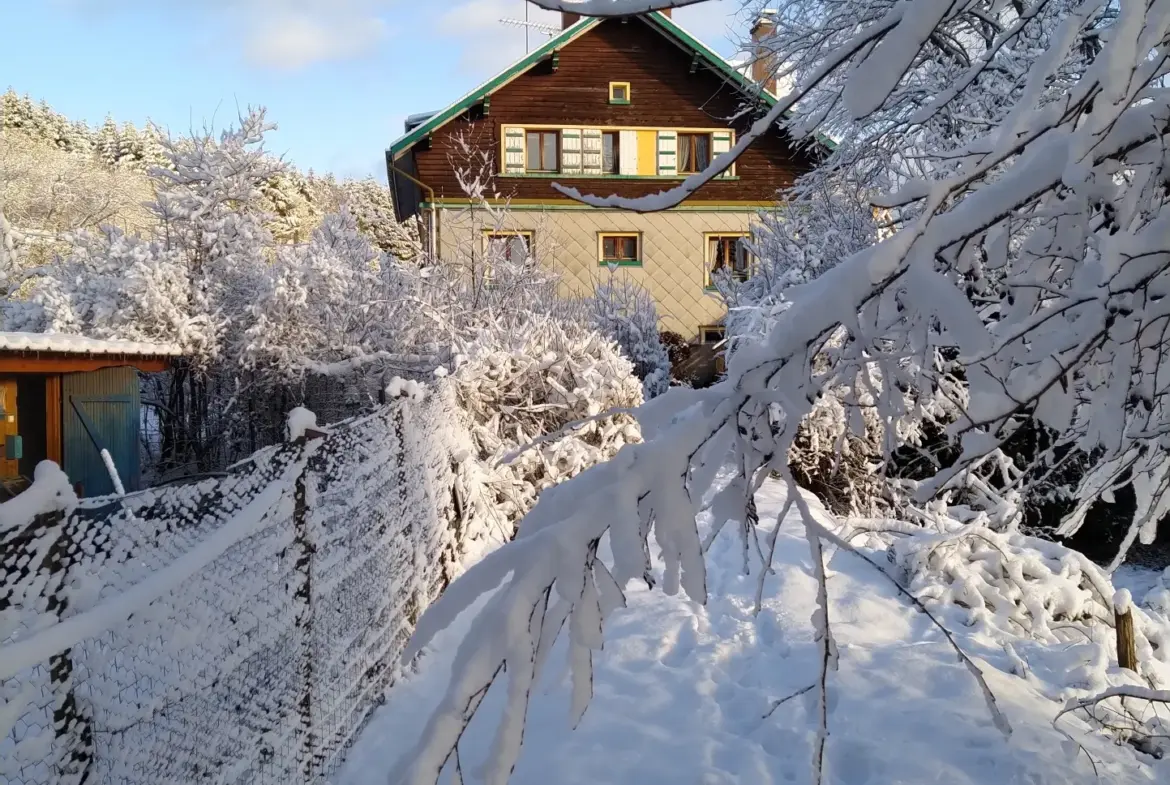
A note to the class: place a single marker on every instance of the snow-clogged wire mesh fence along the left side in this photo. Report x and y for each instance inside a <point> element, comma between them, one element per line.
<point>235,630</point>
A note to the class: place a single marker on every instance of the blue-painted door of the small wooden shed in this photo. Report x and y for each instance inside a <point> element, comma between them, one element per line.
<point>100,411</point>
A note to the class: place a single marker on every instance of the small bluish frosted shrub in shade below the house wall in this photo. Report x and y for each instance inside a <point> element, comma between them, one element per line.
<point>625,312</point>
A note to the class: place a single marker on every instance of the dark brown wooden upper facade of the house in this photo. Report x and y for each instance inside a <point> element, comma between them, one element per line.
<point>670,88</point>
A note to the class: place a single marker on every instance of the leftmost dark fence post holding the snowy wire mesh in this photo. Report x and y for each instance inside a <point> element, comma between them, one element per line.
<point>71,727</point>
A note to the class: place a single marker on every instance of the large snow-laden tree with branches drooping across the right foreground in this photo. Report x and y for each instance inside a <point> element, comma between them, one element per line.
<point>1062,196</point>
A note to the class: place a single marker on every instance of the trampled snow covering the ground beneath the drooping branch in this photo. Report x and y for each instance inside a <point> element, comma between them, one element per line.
<point>682,692</point>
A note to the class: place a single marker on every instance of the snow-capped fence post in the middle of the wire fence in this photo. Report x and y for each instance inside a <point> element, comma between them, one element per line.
<point>302,597</point>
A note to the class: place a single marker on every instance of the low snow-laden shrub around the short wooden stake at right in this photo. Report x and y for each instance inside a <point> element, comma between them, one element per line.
<point>1049,608</point>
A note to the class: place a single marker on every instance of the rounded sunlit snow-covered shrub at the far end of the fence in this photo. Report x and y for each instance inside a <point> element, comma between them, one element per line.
<point>519,387</point>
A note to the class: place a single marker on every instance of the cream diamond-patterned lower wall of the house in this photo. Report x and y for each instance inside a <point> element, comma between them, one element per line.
<point>672,243</point>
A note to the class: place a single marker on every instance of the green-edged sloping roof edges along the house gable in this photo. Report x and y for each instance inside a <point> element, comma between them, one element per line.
<point>658,20</point>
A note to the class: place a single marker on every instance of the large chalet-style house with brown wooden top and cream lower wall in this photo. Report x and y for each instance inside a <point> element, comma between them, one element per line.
<point>622,106</point>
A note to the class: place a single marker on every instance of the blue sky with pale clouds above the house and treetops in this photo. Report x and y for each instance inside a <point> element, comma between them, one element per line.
<point>339,77</point>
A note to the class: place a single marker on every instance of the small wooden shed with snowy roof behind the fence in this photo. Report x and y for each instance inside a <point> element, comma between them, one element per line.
<point>73,401</point>
